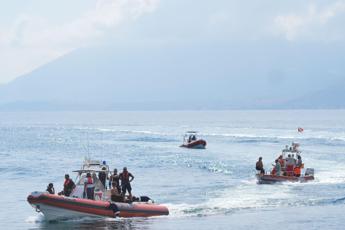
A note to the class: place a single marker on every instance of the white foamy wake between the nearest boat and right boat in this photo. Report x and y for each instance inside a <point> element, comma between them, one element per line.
<point>250,197</point>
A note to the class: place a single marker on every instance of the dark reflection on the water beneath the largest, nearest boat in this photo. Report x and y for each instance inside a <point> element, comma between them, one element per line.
<point>123,224</point>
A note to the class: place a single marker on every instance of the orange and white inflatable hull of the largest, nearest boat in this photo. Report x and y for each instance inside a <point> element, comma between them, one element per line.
<point>55,207</point>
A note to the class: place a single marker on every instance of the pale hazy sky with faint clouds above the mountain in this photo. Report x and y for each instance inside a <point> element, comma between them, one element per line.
<point>35,32</point>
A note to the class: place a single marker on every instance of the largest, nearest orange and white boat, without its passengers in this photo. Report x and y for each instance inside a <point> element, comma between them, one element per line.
<point>56,207</point>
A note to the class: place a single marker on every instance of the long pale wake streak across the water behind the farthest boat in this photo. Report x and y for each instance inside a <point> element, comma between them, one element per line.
<point>245,135</point>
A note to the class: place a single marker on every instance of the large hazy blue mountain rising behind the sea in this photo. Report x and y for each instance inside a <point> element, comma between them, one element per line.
<point>183,76</point>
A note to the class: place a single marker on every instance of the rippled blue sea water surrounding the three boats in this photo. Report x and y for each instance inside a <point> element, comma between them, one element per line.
<point>213,188</point>
